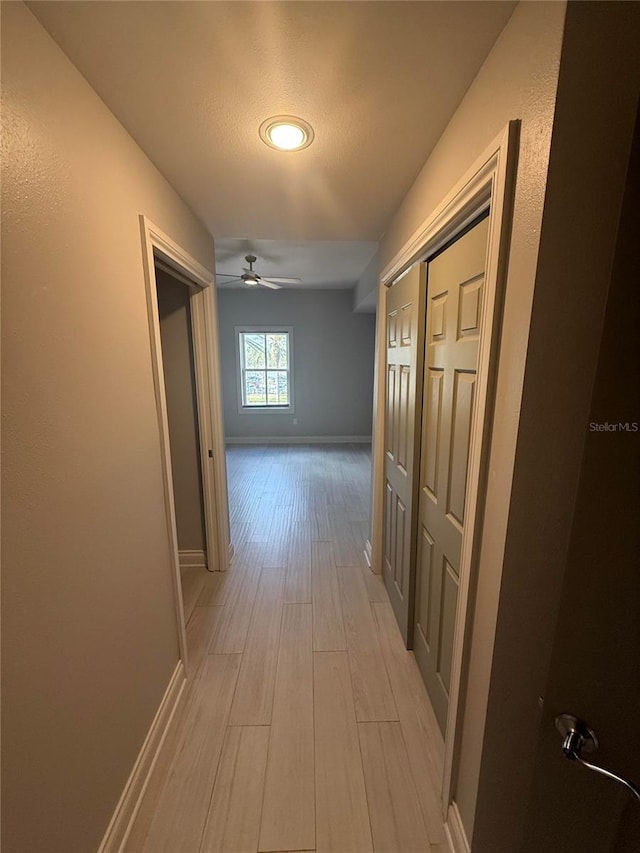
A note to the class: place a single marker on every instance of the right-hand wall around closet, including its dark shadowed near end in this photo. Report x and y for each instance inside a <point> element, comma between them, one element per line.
<point>554,67</point>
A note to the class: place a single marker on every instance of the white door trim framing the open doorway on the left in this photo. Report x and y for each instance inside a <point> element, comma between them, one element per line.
<point>157,244</point>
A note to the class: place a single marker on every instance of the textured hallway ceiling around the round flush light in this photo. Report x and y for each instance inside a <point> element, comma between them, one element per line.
<point>192,82</point>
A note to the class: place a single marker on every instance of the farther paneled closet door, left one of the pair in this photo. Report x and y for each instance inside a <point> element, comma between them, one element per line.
<point>405,346</point>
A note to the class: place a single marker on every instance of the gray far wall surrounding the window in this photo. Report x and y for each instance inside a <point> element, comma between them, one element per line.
<point>333,354</point>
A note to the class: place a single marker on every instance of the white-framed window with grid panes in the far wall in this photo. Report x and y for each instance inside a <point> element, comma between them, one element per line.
<point>264,359</point>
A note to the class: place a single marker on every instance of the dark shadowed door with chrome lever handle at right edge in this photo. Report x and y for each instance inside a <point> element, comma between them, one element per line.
<point>595,665</point>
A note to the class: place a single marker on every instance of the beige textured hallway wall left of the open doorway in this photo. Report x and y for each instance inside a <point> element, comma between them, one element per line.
<point>89,634</point>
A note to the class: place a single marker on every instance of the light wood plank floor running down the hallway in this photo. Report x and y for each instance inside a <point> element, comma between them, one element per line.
<point>305,725</point>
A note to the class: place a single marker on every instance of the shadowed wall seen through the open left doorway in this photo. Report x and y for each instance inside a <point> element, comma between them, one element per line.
<point>182,411</point>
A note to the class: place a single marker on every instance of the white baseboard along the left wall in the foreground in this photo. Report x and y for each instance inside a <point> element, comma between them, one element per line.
<point>125,813</point>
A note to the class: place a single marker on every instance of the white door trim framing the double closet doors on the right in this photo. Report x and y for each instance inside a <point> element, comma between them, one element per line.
<point>488,183</point>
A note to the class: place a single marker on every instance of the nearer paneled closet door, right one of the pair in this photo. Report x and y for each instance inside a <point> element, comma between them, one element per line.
<point>455,292</point>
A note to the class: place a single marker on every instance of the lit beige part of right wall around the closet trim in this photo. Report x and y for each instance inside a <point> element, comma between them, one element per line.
<point>517,81</point>
